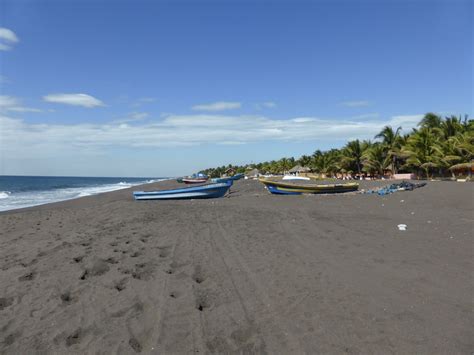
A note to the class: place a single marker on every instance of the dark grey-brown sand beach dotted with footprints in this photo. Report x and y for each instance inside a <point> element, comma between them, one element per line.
<point>251,273</point>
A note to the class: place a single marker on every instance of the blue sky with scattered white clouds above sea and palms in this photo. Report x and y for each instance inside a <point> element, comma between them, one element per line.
<point>166,88</point>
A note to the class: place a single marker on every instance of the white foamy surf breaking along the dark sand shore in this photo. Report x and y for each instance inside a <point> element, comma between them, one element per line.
<point>29,199</point>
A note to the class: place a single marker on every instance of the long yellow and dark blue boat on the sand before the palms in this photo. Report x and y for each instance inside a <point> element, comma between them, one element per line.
<point>284,188</point>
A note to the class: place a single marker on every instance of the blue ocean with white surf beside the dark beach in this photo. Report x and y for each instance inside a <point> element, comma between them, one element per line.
<point>26,191</point>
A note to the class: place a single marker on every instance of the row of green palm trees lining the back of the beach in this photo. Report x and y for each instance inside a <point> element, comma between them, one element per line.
<point>437,147</point>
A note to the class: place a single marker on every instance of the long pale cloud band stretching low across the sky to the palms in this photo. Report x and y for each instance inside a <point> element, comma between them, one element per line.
<point>183,130</point>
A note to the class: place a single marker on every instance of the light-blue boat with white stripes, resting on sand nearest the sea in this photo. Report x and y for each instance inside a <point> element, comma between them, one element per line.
<point>196,192</point>
